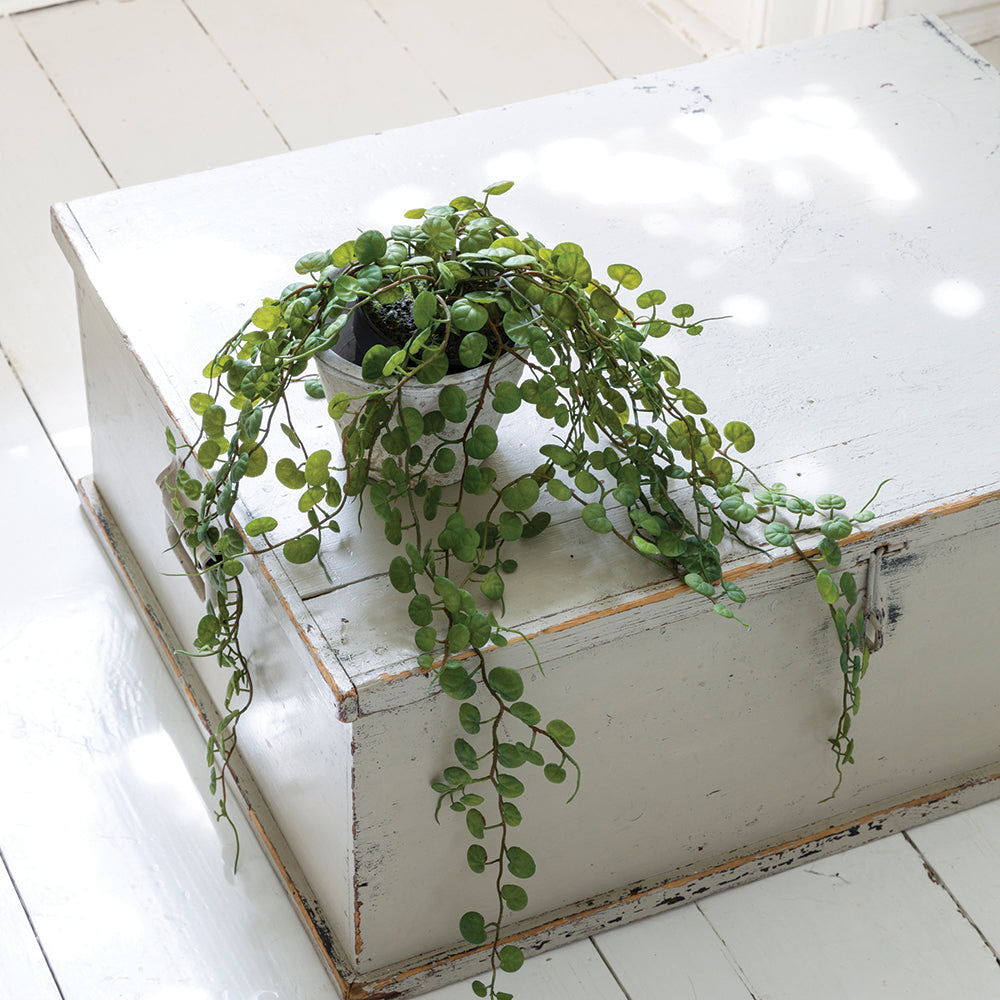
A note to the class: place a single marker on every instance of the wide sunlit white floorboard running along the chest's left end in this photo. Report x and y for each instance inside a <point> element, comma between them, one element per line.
<point>104,822</point>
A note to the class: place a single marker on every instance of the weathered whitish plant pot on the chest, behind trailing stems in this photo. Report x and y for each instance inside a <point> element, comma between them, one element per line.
<point>338,374</point>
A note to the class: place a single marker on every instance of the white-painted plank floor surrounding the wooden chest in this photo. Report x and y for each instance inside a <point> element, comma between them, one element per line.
<point>115,880</point>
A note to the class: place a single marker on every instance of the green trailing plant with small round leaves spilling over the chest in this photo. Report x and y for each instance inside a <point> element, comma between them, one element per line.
<point>630,447</point>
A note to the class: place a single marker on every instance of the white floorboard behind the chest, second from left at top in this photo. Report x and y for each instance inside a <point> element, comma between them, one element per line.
<point>154,96</point>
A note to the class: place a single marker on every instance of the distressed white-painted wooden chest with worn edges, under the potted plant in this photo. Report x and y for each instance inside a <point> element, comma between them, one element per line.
<point>837,198</point>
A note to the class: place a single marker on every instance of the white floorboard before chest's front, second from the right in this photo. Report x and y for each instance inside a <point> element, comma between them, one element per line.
<point>869,923</point>
